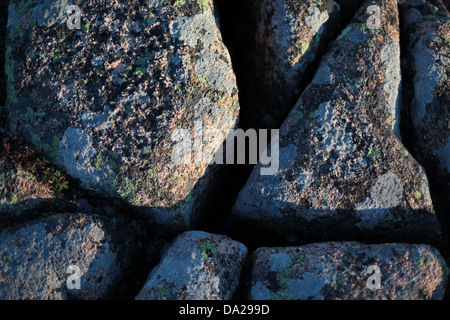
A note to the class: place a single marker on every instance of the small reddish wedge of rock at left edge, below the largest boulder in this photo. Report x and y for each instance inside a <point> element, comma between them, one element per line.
<point>24,196</point>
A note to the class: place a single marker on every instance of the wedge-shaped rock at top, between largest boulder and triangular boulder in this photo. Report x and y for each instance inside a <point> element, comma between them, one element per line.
<point>289,36</point>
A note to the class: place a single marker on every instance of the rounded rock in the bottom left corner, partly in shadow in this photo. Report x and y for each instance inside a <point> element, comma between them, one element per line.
<point>42,259</point>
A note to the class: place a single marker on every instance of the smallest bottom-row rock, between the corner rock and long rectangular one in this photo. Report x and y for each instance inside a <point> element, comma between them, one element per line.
<point>197,266</point>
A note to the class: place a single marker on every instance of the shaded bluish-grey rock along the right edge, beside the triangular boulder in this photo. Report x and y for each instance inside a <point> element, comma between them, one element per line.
<point>428,68</point>
